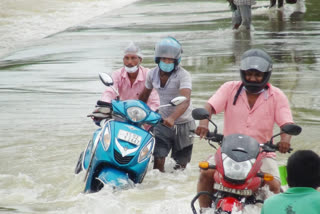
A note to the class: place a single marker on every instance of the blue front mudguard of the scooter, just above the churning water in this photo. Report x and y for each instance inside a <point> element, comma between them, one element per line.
<point>114,177</point>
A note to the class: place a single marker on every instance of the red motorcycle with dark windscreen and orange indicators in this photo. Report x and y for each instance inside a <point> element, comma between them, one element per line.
<point>237,167</point>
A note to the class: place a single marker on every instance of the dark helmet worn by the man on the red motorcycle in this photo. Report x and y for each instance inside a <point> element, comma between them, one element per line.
<point>258,60</point>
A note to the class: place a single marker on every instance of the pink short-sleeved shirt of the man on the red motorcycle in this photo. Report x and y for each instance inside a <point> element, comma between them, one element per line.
<point>271,107</point>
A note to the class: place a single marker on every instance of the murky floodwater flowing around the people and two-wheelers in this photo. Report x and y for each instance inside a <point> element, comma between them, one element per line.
<point>49,84</point>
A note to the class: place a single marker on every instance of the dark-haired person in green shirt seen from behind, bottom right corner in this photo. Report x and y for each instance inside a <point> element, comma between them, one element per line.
<point>303,170</point>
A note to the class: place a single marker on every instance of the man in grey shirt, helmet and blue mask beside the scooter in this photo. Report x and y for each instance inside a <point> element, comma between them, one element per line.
<point>171,80</point>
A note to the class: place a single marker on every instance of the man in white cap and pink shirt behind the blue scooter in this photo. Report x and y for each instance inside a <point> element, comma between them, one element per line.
<point>130,79</point>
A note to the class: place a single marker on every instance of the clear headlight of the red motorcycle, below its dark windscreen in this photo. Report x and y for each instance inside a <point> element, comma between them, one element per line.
<point>236,170</point>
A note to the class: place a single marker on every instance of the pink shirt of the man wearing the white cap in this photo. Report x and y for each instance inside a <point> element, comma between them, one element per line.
<point>128,91</point>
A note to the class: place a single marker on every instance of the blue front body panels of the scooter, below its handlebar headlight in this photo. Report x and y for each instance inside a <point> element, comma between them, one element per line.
<point>120,156</point>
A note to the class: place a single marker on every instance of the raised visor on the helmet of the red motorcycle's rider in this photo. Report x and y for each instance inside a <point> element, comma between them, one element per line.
<point>254,62</point>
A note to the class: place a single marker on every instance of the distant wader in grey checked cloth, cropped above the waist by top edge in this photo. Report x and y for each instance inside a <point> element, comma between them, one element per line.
<point>241,13</point>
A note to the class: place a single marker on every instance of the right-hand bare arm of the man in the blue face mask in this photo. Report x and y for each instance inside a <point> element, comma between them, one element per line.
<point>180,109</point>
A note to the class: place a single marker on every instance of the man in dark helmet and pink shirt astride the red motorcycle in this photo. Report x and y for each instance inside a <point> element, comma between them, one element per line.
<point>251,107</point>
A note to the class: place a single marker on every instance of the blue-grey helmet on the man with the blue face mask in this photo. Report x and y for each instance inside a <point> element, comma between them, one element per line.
<point>168,47</point>
